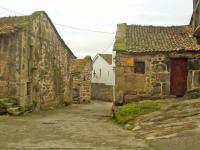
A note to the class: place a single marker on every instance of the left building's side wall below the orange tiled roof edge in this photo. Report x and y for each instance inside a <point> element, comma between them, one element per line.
<point>9,65</point>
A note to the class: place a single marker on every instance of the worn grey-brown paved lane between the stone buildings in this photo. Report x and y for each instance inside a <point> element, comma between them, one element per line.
<point>74,127</point>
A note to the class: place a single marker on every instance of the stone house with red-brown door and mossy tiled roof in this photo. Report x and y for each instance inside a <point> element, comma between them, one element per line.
<point>155,62</point>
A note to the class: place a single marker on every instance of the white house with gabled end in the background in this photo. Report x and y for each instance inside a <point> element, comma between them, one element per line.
<point>103,69</point>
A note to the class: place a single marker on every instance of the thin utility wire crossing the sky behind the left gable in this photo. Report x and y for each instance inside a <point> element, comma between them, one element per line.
<point>61,25</point>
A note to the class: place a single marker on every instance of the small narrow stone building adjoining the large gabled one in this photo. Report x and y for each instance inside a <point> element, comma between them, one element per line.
<point>81,70</point>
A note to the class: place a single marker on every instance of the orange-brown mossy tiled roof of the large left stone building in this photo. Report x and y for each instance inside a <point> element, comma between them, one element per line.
<point>13,24</point>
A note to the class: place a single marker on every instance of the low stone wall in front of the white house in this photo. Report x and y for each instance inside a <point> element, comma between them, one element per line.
<point>102,92</point>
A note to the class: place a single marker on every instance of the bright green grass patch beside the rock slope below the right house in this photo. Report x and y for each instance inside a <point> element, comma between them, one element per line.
<point>131,111</point>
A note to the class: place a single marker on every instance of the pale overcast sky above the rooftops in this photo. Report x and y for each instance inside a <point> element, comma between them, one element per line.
<point>101,15</point>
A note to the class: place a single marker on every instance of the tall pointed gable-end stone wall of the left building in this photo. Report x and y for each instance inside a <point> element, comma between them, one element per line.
<point>49,64</point>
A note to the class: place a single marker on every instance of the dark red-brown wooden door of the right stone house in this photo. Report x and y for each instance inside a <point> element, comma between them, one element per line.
<point>179,72</point>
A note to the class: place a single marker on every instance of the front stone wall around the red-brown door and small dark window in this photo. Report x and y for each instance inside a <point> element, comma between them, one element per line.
<point>155,82</point>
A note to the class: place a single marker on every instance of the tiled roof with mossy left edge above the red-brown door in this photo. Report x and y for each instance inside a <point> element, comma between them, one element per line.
<point>135,38</point>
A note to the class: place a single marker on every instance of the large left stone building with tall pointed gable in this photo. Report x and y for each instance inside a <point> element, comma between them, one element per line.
<point>34,62</point>
